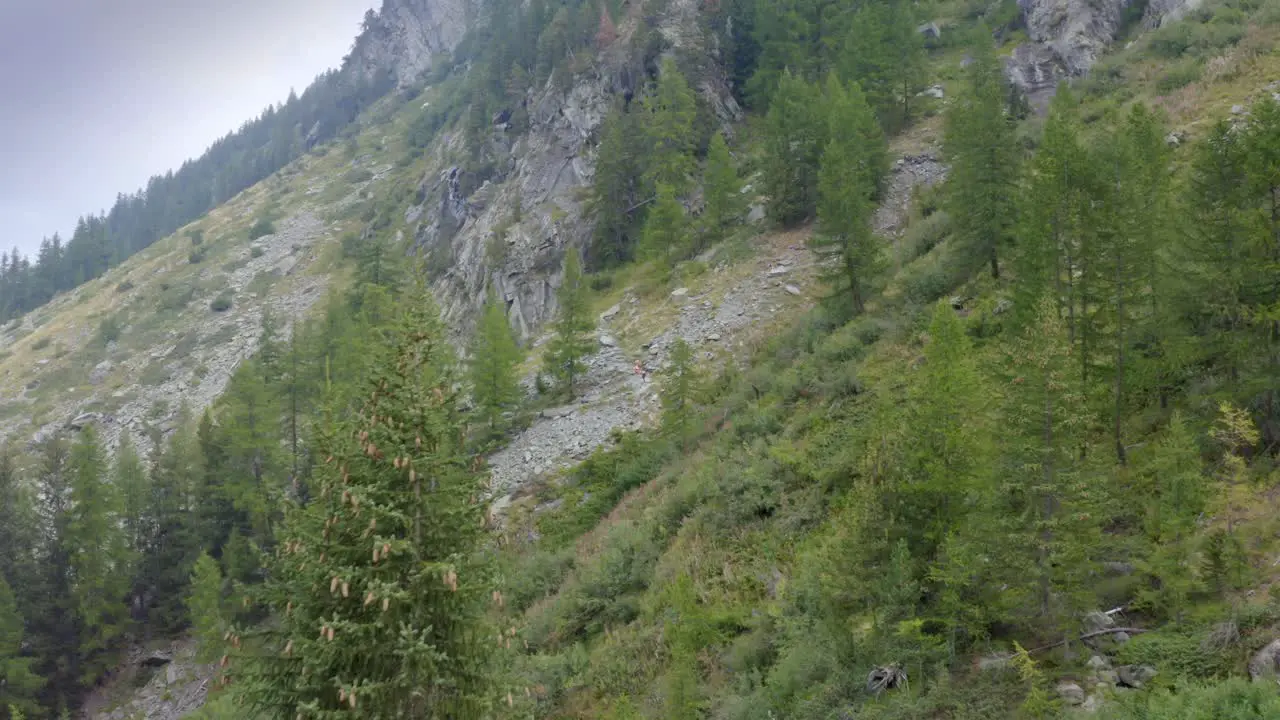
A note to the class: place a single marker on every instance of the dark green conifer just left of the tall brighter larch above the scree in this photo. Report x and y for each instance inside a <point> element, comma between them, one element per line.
<point>796,134</point>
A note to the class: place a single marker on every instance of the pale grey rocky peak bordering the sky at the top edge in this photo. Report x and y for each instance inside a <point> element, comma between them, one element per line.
<point>408,35</point>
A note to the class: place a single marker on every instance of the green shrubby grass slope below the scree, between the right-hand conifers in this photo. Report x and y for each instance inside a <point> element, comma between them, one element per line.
<point>720,541</point>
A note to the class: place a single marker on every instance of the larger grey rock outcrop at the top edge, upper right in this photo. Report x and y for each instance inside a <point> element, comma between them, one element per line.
<point>1076,31</point>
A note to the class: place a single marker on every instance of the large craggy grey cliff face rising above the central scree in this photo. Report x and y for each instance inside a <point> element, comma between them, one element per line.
<point>473,231</point>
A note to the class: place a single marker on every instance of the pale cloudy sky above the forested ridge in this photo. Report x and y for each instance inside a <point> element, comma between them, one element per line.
<point>99,95</point>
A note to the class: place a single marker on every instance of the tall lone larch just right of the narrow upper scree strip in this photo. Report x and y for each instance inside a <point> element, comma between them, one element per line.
<point>980,143</point>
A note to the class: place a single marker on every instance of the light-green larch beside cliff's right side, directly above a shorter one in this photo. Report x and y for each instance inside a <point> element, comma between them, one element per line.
<point>670,112</point>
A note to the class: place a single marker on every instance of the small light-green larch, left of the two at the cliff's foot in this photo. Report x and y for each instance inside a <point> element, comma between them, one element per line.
<point>495,357</point>
